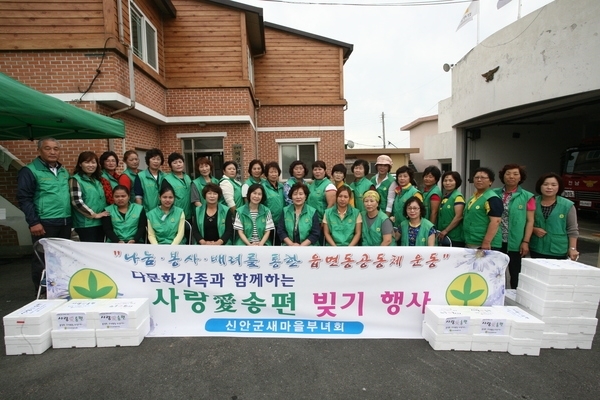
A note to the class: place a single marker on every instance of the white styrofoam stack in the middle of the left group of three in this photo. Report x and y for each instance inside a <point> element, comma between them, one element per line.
<point>74,325</point>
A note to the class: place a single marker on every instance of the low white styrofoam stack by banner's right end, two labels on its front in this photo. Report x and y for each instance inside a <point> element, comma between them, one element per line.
<point>466,328</point>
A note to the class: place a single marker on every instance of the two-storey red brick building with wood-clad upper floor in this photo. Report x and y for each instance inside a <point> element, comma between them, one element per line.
<point>200,77</point>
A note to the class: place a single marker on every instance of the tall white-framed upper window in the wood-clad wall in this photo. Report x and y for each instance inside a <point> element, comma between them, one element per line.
<point>143,38</point>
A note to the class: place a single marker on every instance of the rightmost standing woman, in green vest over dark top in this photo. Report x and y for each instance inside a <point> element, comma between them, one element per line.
<point>555,229</point>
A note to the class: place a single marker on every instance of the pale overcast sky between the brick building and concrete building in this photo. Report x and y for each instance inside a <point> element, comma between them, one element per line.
<point>396,65</point>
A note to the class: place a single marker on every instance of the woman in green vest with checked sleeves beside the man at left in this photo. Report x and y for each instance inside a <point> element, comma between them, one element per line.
<point>87,198</point>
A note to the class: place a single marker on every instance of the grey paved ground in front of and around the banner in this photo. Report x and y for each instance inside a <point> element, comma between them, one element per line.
<point>248,368</point>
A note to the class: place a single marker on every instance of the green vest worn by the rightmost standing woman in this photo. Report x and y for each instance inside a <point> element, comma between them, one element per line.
<point>555,242</point>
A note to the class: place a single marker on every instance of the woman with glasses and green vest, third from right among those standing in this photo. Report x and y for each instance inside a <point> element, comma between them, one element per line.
<point>482,213</point>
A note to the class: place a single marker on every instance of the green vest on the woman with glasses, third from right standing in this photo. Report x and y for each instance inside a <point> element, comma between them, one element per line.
<point>476,221</point>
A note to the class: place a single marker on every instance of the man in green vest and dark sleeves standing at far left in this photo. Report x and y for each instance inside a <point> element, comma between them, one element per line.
<point>43,196</point>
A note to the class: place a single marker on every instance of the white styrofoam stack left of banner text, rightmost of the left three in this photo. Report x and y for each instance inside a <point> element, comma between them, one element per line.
<point>122,322</point>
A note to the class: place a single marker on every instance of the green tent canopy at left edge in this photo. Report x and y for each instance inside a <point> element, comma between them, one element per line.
<point>26,113</point>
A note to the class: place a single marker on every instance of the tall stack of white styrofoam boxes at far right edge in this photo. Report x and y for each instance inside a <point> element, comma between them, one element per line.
<point>565,295</point>
